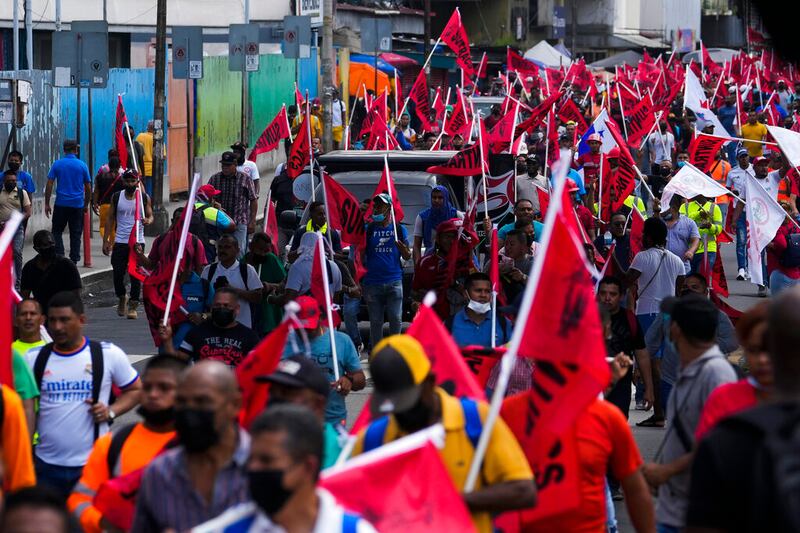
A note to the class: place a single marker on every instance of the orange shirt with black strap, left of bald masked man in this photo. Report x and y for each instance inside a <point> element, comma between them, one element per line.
<point>141,446</point>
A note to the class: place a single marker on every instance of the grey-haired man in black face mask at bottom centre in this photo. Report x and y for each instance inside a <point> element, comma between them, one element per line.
<point>283,471</point>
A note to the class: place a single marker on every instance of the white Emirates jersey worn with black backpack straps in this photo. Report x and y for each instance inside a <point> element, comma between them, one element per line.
<point>66,429</point>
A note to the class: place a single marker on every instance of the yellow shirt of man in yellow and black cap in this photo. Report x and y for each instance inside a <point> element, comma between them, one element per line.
<point>504,459</point>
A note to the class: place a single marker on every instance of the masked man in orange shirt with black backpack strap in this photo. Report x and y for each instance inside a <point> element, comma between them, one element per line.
<point>134,445</point>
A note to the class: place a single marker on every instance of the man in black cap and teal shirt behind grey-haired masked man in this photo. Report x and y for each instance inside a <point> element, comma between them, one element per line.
<point>299,380</point>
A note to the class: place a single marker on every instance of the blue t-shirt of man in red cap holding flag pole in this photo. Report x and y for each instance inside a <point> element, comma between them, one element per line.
<point>320,347</point>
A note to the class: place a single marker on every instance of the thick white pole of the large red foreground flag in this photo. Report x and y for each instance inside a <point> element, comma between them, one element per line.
<point>509,358</point>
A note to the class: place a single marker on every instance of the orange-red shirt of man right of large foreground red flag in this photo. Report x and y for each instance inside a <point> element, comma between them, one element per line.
<point>604,440</point>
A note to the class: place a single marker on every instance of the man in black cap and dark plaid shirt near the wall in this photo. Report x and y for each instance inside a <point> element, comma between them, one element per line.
<point>237,197</point>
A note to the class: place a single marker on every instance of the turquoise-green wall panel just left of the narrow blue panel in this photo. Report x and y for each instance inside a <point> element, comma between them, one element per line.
<point>270,87</point>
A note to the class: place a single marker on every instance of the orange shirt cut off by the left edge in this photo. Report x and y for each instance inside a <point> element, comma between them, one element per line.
<point>17,457</point>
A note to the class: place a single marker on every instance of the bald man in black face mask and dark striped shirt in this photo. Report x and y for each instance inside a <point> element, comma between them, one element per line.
<point>205,474</point>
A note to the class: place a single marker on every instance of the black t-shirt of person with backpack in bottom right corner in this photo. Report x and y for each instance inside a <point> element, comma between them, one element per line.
<point>732,486</point>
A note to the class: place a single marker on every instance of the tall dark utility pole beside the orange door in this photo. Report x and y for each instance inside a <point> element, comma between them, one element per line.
<point>160,219</point>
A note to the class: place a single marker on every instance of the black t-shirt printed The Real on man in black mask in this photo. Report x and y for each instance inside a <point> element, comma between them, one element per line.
<point>227,345</point>
